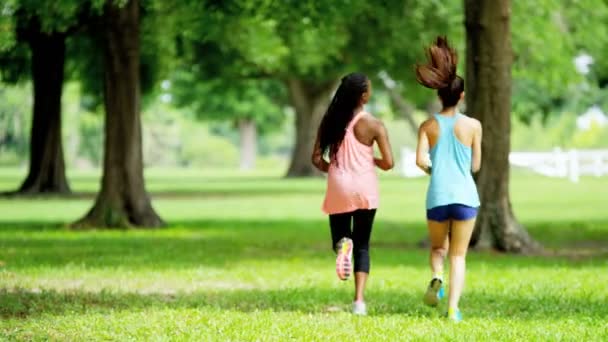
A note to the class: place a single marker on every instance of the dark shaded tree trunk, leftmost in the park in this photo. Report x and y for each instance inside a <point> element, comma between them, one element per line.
<point>46,166</point>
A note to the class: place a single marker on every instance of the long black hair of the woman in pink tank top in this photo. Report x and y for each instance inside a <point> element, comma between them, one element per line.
<point>340,112</point>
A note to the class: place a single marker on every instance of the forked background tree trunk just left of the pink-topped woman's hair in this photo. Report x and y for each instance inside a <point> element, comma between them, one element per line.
<point>310,101</point>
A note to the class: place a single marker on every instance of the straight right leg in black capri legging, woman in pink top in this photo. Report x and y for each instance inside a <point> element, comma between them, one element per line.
<point>363,221</point>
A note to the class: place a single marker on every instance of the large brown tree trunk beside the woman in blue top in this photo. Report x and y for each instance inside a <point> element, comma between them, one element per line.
<point>489,59</point>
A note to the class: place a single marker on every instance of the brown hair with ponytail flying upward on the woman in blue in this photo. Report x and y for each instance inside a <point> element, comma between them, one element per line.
<point>440,72</point>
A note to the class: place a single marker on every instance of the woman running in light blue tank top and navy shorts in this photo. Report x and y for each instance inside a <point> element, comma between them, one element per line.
<point>453,142</point>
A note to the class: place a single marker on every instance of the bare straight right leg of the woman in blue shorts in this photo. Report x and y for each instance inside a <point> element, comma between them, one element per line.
<point>459,242</point>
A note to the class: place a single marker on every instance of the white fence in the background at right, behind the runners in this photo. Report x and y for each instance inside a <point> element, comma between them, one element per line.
<point>569,164</point>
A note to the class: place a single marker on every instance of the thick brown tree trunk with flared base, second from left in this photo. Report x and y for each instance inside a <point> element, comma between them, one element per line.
<point>122,200</point>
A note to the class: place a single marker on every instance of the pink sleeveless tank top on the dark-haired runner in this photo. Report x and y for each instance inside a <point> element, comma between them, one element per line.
<point>352,184</point>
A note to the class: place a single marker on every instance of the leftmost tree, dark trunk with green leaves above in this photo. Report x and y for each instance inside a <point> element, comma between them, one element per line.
<point>36,47</point>
